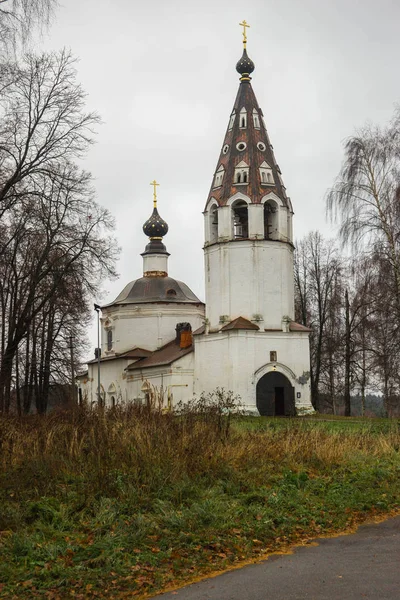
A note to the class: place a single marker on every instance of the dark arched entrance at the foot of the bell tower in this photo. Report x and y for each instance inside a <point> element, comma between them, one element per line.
<point>275,395</point>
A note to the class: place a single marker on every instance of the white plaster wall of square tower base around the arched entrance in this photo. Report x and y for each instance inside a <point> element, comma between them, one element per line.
<point>237,360</point>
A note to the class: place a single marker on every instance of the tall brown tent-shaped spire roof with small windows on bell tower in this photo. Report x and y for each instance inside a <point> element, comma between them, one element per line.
<point>247,145</point>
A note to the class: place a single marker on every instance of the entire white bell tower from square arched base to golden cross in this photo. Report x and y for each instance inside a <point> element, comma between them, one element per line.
<point>251,344</point>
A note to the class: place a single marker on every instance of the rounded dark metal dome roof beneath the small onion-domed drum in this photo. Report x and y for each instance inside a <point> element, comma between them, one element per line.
<point>155,289</point>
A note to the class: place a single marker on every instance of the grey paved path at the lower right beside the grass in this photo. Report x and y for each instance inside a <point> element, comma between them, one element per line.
<point>364,565</point>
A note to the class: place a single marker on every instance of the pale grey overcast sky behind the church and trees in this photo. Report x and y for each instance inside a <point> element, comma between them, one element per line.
<point>162,76</point>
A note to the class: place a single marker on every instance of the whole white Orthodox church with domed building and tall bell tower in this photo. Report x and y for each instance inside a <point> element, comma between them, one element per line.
<point>159,339</point>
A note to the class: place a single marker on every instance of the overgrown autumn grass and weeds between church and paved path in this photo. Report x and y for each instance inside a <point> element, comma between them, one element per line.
<point>124,503</point>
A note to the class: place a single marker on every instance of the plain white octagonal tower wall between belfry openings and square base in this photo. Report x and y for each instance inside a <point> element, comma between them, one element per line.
<point>247,278</point>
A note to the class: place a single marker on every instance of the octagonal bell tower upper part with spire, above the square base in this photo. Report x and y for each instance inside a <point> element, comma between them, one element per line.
<point>248,221</point>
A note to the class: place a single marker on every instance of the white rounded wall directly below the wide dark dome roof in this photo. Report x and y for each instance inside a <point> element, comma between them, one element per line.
<point>148,326</point>
